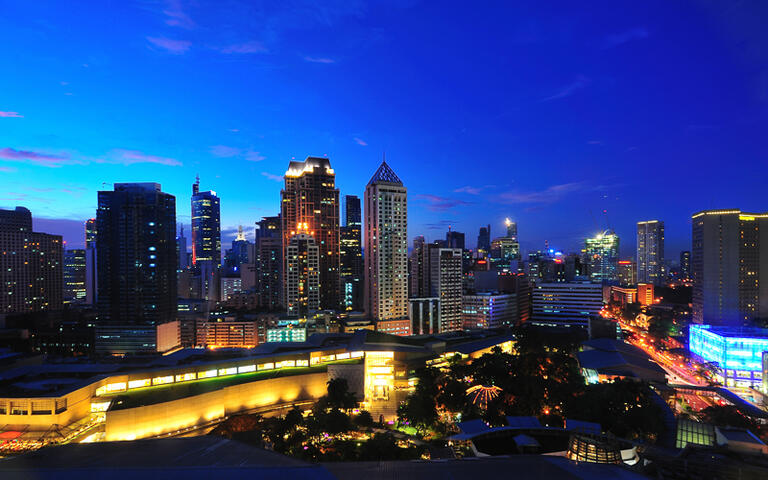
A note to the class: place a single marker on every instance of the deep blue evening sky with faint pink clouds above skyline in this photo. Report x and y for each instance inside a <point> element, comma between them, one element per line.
<point>550,113</point>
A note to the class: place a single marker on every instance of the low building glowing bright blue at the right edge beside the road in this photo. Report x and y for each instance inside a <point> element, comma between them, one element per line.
<point>737,351</point>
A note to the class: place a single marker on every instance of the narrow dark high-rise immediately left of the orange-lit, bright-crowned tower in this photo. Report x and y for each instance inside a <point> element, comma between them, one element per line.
<point>269,262</point>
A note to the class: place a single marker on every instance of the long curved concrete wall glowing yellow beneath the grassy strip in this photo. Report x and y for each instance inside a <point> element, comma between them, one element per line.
<point>150,420</point>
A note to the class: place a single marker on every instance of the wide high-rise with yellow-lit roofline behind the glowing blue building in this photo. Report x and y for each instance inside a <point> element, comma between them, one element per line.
<point>729,267</point>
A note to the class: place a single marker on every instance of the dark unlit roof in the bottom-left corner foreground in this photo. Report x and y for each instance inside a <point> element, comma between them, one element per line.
<point>188,458</point>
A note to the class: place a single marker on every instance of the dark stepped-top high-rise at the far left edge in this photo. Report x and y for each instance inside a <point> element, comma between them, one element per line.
<point>30,265</point>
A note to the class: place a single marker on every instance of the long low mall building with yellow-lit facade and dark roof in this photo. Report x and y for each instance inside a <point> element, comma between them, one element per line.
<point>194,388</point>
